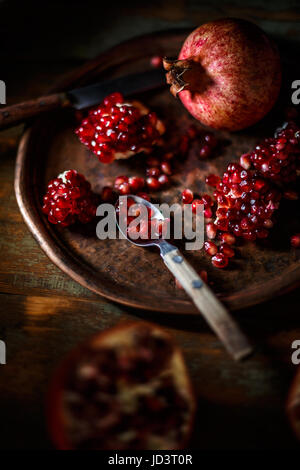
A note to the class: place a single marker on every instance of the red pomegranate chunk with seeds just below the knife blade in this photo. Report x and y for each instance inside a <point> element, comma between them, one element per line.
<point>119,129</point>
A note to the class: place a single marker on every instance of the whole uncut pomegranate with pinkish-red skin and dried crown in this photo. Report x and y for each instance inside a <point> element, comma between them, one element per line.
<point>228,74</point>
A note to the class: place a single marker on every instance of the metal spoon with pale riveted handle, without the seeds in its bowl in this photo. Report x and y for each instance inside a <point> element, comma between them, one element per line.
<point>216,315</point>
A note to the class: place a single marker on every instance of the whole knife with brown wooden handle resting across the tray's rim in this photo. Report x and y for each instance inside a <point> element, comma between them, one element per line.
<point>81,98</point>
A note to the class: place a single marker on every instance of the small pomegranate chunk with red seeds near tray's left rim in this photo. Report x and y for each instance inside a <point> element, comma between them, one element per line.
<point>69,199</point>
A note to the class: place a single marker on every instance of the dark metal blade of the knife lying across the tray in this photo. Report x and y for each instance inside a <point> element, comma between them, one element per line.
<point>130,84</point>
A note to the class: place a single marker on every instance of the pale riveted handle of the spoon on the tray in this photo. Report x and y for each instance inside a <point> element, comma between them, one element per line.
<point>216,315</point>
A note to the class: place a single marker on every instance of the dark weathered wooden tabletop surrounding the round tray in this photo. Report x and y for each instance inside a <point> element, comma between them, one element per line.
<point>240,406</point>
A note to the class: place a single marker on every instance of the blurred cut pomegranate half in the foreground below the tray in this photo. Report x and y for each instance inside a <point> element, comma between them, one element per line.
<point>126,388</point>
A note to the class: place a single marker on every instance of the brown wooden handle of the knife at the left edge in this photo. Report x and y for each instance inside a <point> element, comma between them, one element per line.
<point>12,115</point>
